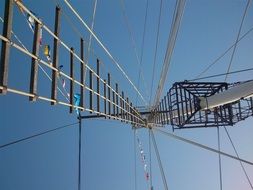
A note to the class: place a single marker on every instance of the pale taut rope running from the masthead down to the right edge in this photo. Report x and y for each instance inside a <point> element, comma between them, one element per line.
<point>202,146</point>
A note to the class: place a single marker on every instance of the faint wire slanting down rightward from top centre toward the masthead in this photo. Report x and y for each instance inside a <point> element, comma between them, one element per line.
<point>133,42</point>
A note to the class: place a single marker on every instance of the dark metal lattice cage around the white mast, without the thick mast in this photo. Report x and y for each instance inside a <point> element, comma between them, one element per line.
<point>181,106</point>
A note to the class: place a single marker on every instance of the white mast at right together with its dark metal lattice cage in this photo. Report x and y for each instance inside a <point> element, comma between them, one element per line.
<point>204,104</point>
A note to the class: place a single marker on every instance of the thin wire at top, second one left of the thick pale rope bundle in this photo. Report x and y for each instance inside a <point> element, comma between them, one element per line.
<point>142,47</point>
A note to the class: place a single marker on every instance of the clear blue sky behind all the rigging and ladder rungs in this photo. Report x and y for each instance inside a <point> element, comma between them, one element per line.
<point>50,162</point>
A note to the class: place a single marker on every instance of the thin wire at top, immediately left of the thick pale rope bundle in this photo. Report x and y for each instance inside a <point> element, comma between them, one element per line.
<point>156,48</point>
